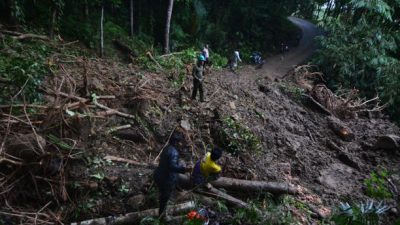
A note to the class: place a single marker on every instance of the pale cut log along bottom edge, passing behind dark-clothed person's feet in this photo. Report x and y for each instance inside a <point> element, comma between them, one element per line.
<point>135,217</point>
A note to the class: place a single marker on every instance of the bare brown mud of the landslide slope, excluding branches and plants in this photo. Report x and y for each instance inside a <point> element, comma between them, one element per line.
<point>295,136</point>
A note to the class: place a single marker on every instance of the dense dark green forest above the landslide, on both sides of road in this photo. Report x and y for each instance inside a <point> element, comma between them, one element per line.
<point>359,48</point>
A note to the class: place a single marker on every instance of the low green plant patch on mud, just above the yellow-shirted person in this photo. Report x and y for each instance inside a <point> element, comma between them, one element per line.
<point>237,138</point>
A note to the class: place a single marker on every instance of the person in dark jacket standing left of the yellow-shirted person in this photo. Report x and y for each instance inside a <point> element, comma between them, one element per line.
<point>166,174</point>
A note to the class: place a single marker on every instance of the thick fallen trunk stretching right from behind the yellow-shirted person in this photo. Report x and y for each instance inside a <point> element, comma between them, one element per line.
<point>247,185</point>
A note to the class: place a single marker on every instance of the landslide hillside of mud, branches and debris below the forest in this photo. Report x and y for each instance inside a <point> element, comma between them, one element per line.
<point>271,130</point>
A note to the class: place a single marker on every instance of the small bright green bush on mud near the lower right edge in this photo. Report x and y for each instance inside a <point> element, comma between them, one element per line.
<point>376,185</point>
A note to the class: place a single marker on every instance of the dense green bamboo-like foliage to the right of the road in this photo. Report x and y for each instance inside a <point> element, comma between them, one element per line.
<point>360,50</point>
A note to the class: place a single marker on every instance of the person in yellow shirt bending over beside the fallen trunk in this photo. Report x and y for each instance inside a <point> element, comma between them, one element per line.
<point>207,169</point>
